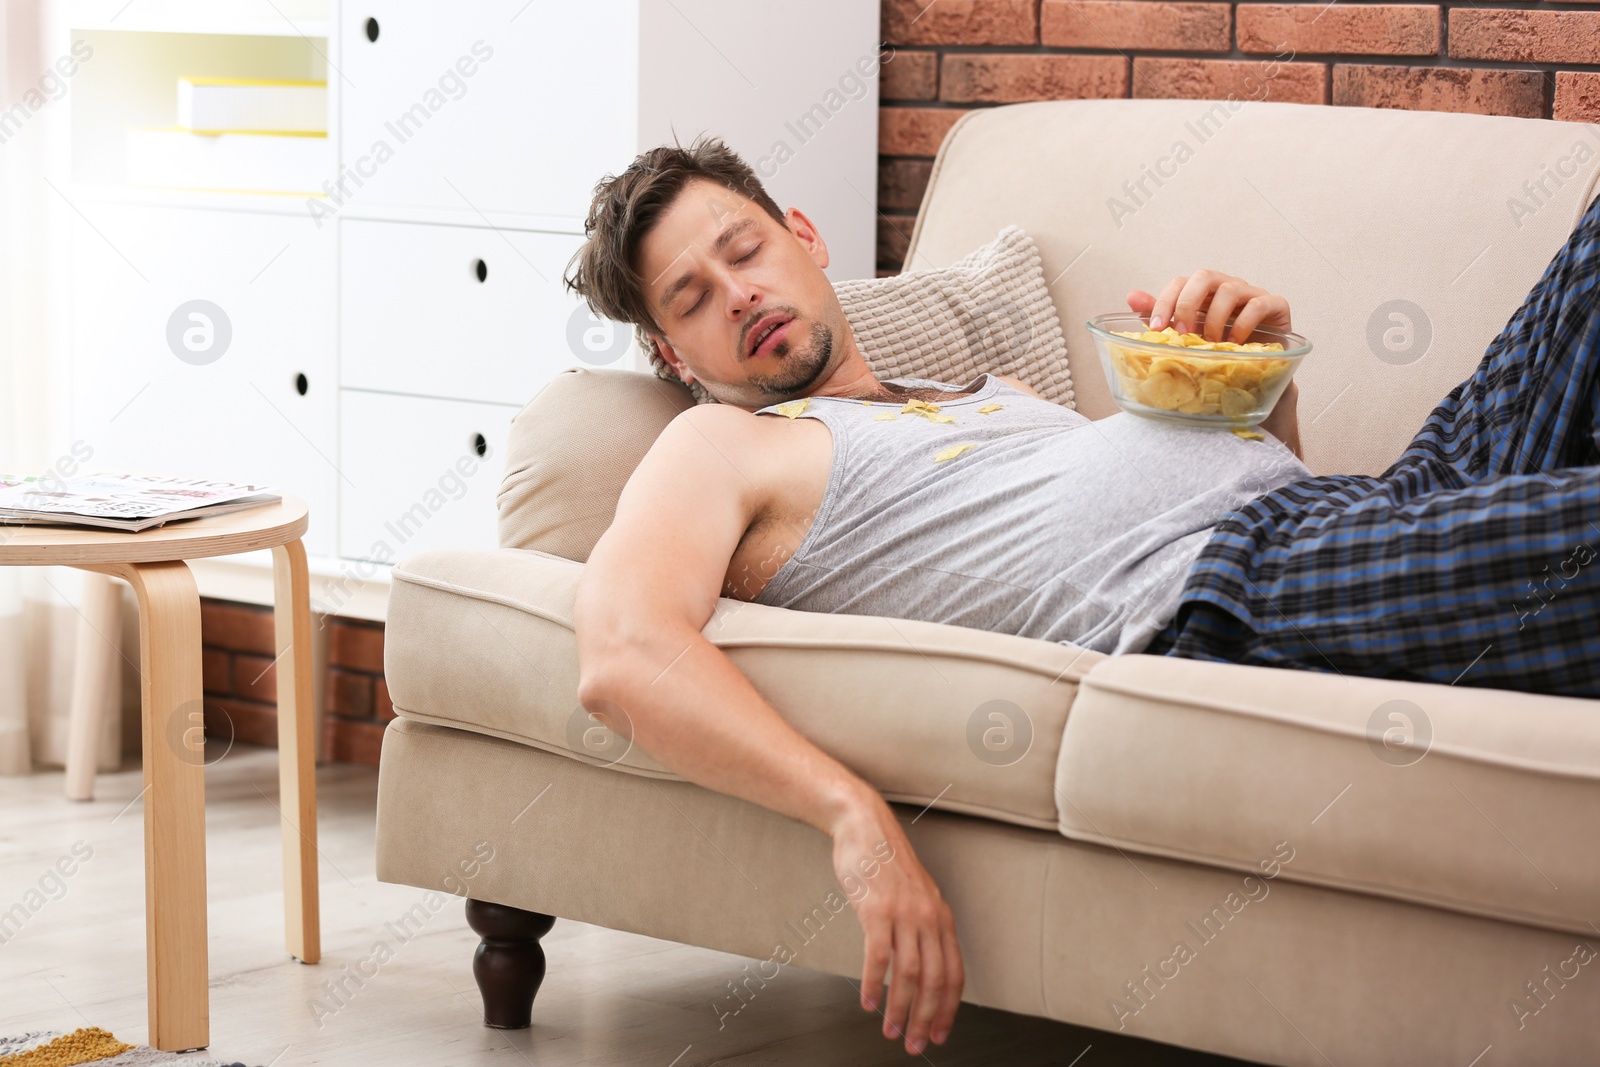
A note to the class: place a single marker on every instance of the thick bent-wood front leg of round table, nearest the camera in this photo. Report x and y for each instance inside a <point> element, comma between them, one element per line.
<point>174,735</point>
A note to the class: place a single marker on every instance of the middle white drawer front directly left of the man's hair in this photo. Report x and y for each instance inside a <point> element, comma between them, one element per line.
<point>463,313</point>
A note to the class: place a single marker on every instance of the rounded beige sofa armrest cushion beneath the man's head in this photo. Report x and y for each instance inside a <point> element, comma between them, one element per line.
<point>574,449</point>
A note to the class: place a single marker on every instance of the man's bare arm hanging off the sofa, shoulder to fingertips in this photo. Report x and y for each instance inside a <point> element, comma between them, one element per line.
<point>647,591</point>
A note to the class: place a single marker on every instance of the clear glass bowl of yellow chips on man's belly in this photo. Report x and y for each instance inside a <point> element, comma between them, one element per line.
<point>1204,386</point>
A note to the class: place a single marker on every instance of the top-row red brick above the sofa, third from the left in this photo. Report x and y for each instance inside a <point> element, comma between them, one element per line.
<point>1370,30</point>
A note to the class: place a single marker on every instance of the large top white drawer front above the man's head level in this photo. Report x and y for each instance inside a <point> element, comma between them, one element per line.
<point>487,106</point>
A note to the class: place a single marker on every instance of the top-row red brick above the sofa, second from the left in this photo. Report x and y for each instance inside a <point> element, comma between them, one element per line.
<point>1142,25</point>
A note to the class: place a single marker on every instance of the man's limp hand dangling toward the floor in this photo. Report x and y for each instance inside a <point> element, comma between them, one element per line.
<point>908,927</point>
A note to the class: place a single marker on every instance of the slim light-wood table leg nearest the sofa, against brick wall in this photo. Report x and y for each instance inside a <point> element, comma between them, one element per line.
<point>297,753</point>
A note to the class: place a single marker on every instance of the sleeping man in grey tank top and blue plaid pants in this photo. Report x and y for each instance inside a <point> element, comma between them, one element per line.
<point>815,486</point>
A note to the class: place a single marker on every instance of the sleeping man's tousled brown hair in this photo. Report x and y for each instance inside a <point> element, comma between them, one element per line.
<point>625,209</point>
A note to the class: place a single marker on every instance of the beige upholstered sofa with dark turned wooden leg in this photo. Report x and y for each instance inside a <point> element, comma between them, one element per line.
<point>1228,858</point>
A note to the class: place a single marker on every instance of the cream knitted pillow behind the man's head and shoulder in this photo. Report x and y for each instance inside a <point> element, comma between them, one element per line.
<point>990,311</point>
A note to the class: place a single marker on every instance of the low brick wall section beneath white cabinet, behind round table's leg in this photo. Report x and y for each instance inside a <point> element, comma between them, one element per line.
<point>241,682</point>
